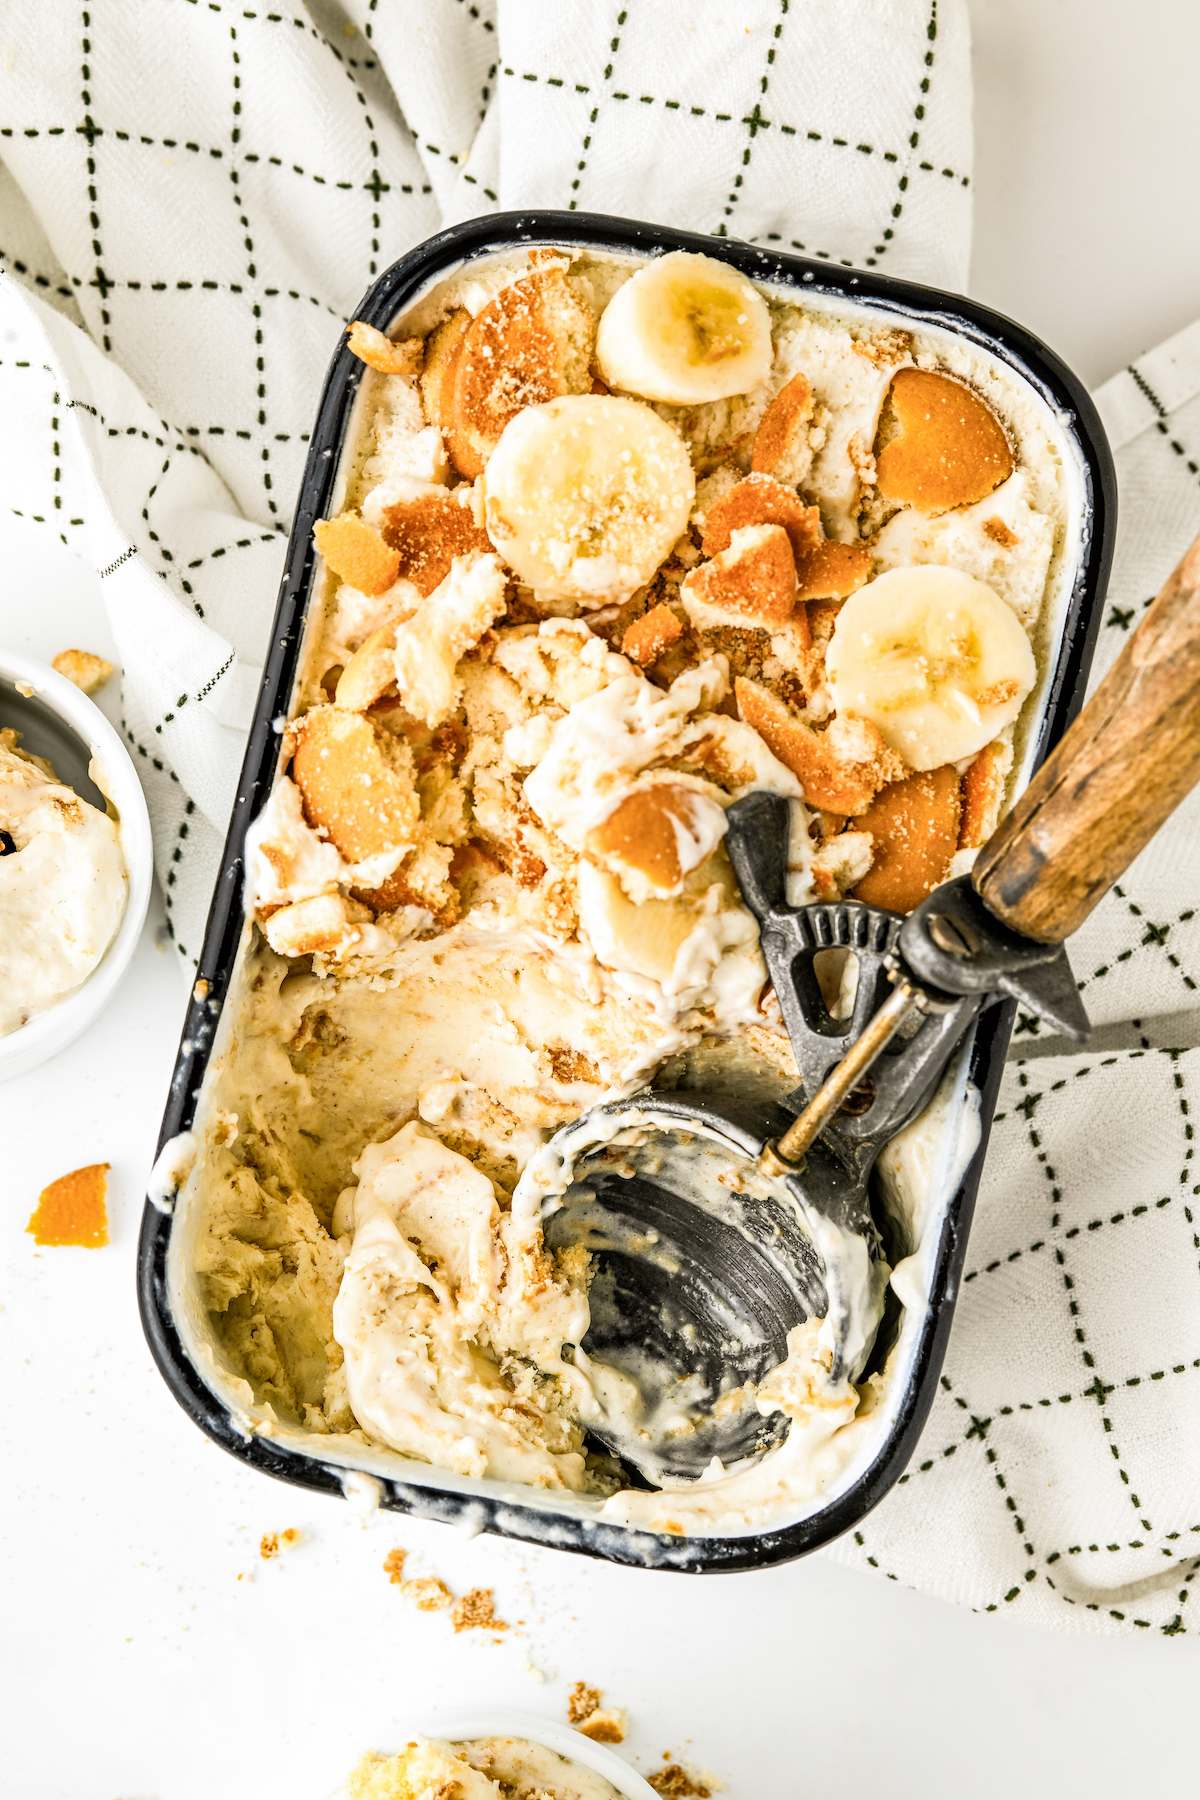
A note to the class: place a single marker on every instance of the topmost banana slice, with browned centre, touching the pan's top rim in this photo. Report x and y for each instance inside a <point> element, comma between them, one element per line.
<point>686,328</point>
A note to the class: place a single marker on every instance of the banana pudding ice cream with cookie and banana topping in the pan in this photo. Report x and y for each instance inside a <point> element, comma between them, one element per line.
<point>618,544</point>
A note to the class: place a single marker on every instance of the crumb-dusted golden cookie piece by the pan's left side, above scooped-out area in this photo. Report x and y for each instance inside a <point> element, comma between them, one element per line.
<point>350,787</point>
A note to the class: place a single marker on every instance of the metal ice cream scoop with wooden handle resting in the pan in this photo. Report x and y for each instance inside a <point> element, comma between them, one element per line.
<point>704,1275</point>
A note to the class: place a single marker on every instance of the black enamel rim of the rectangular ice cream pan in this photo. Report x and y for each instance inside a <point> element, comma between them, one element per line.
<point>386,300</point>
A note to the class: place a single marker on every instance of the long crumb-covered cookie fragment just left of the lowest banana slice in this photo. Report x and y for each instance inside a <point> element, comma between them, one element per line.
<point>841,769</point>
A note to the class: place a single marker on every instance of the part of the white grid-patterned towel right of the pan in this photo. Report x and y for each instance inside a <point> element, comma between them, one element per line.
<point>1059,1477</point>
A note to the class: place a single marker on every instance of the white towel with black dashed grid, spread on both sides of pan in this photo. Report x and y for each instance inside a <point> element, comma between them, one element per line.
<point>192,202</point>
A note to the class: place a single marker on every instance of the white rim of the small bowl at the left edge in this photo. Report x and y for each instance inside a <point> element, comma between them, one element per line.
<point>78,719</point>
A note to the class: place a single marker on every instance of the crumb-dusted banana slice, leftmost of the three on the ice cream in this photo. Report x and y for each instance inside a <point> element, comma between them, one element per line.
<point>586,496</point>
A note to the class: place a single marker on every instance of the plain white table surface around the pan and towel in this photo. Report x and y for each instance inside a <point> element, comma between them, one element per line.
<point>152,1655</point>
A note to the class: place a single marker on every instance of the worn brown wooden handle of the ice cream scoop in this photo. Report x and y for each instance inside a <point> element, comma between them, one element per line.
<point>1120,771</point>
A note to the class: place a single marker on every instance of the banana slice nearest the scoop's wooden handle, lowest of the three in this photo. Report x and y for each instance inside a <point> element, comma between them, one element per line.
<point>935,660</point>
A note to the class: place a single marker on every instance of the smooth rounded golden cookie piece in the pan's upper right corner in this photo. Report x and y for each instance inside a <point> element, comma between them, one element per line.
<point>949,445</point>
